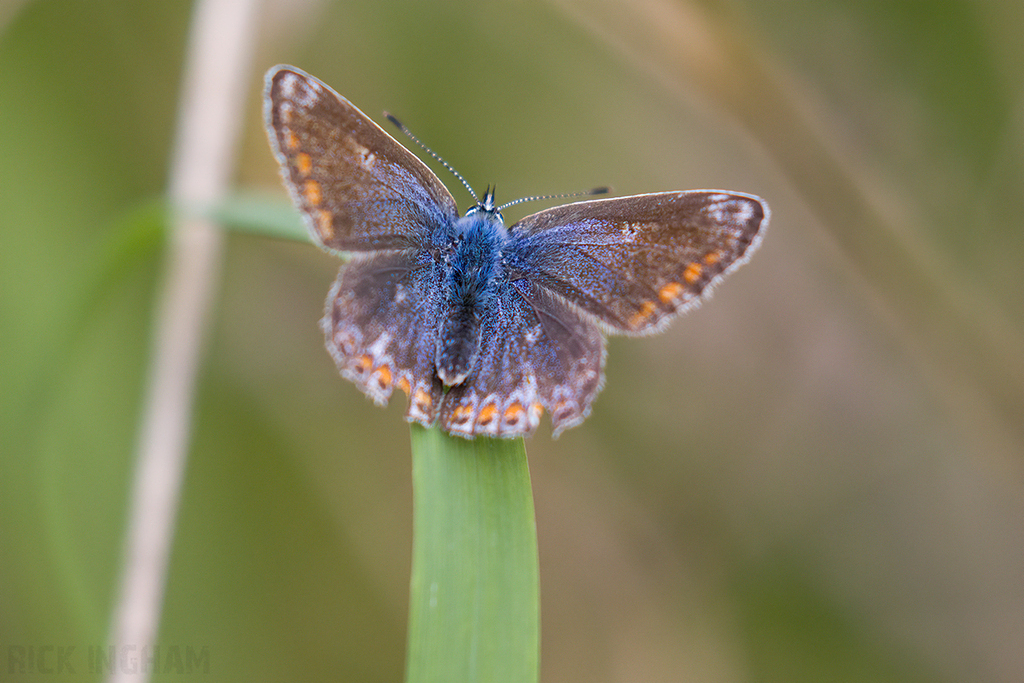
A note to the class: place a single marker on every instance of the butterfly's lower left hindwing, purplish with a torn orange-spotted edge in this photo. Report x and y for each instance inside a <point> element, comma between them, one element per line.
<point>381,329</point>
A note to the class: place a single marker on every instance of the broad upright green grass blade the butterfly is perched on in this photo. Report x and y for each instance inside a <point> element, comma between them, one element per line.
<point>475,603</point>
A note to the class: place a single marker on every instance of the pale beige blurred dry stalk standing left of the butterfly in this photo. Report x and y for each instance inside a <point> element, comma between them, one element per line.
<point>217,79</point>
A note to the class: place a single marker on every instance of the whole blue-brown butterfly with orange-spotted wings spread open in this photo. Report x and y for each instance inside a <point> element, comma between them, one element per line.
<point>485,328</point>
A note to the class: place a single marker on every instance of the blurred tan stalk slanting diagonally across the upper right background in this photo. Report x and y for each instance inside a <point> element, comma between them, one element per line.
<point>970,352</point>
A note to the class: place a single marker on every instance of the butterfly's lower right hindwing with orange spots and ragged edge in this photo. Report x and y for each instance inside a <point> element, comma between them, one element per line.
<point>538,354</point>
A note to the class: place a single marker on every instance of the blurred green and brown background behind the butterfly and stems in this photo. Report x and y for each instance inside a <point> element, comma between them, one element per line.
<point>816,478</point>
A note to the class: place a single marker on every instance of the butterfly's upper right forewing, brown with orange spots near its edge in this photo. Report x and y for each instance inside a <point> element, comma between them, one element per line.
<point>633,263</point>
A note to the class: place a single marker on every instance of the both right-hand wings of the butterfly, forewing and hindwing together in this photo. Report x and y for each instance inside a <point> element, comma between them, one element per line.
<point>627,264</point>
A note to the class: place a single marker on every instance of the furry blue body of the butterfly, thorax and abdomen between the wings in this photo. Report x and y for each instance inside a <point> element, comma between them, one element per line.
<point>474,268</point>
